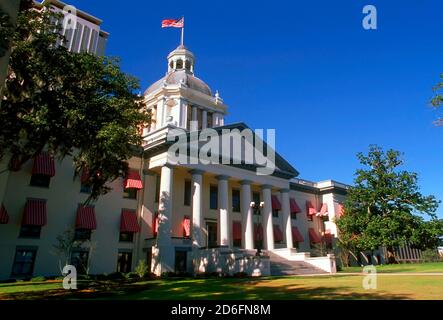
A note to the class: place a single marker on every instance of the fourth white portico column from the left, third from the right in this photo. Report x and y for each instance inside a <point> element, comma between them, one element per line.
<point>246,210</point>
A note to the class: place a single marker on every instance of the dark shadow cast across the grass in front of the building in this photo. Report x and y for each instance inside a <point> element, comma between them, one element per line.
<point>205,289</point>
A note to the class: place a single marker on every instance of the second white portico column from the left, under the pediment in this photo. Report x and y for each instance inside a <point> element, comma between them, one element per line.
<point>197,214</point>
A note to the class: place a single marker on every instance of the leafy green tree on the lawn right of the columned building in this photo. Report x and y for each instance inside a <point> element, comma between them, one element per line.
<point>381,207</point>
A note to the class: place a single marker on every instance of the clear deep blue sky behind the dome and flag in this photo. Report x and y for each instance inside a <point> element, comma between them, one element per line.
<point>307,69</point>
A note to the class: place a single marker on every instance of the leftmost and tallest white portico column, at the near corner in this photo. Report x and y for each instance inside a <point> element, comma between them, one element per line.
<point>164,251</point>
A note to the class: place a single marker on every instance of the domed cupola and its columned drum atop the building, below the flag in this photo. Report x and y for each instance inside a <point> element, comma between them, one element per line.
<point>181,99</point>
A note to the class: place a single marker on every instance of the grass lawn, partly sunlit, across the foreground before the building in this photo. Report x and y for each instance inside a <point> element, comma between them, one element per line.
<point>318,287</point>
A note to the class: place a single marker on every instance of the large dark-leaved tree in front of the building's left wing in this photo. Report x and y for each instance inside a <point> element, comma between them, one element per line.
<point>72,104</point>
